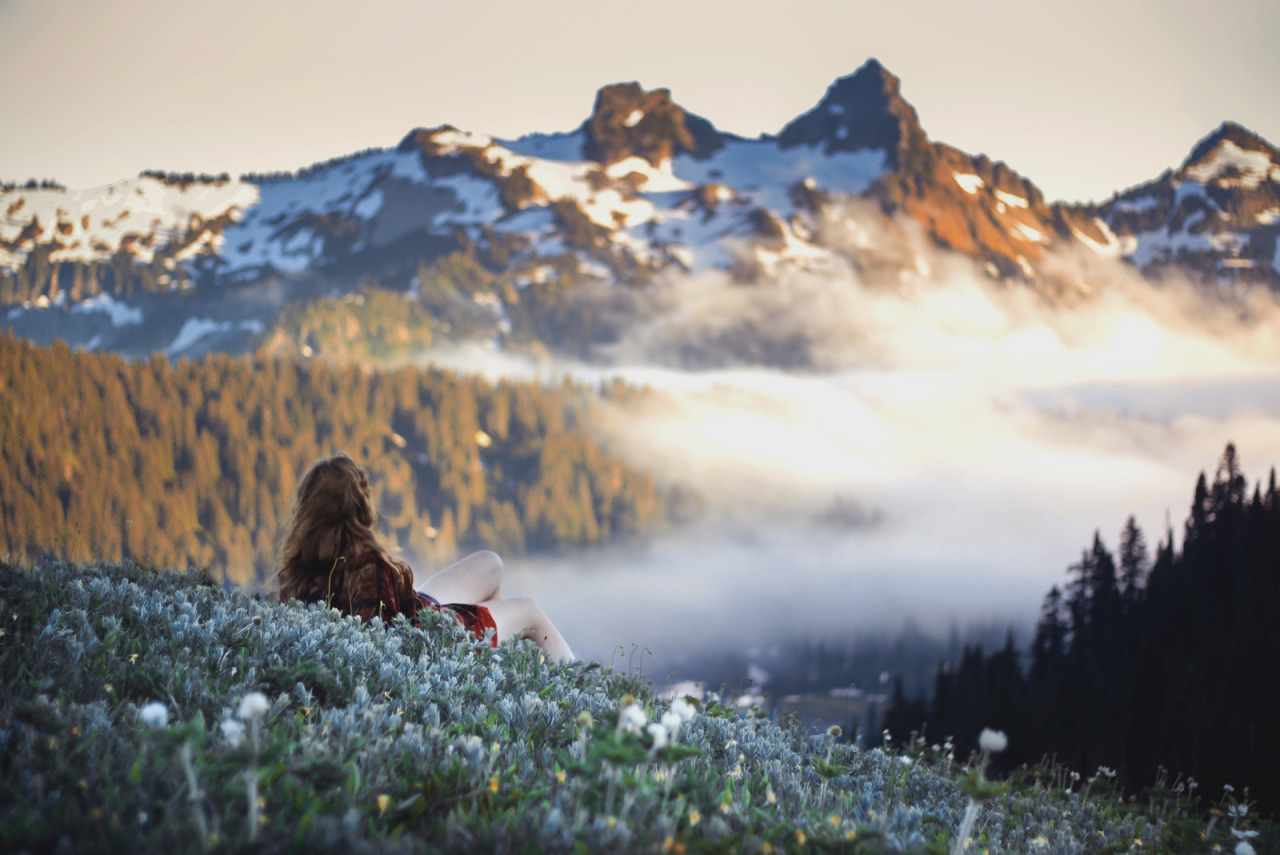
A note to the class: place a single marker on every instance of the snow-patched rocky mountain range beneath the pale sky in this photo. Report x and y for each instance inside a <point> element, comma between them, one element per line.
<point>495,237</point>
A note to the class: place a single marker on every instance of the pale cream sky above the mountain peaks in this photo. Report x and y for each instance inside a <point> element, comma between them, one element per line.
<point>1084,98</point>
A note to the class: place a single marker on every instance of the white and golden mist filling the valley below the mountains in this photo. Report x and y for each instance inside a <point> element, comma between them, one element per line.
<point>940,447</point>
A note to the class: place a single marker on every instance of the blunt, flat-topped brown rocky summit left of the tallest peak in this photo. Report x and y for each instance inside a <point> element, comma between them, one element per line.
<point>629,122</point>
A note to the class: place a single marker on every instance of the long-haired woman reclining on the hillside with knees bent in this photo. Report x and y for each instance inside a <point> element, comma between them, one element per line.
<point>330,554</point>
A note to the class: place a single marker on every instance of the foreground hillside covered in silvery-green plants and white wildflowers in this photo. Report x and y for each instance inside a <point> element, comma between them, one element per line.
<point>130,724</point>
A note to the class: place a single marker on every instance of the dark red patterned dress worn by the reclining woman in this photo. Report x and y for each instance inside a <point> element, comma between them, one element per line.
<point>377,587</point>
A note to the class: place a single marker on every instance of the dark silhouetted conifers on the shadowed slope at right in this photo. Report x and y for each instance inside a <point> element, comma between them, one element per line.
<point>1140,664</point>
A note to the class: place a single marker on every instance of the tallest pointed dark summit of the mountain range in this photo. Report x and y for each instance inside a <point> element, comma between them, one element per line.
<point>862,111</point>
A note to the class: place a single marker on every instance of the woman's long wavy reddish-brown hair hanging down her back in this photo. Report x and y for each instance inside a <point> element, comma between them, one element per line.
<point>332,523</point>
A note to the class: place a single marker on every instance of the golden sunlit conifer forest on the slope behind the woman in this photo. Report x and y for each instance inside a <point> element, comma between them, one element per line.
<point>195,464</point>
